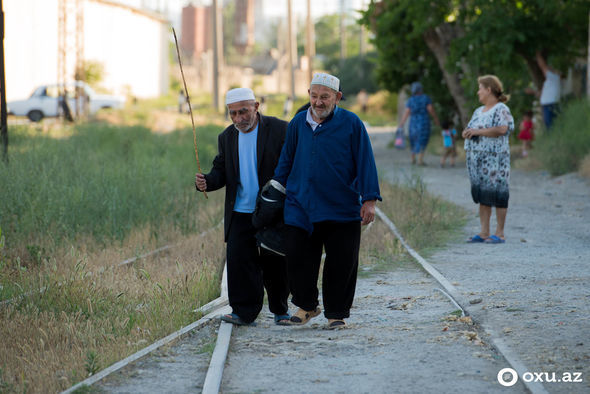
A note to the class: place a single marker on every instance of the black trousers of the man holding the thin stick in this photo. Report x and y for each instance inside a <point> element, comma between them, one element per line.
<point>249,272</point>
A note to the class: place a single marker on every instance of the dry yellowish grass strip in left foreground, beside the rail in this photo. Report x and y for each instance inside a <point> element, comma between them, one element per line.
<point>92,312</point>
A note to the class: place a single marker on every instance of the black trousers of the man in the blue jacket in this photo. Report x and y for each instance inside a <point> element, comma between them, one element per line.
<point>304,253</point>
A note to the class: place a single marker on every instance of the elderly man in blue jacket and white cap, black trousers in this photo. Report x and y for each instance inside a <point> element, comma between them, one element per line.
<point>329,172</point>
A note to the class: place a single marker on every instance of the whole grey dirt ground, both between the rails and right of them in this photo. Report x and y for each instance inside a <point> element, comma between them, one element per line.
<point>534,294</point>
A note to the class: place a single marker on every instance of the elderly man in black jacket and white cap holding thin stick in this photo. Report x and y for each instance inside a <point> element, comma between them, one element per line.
<point>248,152</point>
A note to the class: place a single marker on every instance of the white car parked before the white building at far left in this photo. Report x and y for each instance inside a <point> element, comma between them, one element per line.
<point>44,102</point>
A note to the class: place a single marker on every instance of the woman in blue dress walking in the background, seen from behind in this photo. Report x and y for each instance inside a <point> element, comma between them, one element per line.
<point>419,106</point>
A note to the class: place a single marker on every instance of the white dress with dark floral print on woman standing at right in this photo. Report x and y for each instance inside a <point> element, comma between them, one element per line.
<point>488,158</point>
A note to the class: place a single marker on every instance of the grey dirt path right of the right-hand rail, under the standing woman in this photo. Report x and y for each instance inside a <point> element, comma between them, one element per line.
<point>535,288</point>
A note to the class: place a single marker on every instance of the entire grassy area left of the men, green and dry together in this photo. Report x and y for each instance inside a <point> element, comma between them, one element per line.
<point>72,205</point>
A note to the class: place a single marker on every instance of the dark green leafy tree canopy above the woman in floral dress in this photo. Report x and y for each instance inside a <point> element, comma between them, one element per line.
<point>447,44</point>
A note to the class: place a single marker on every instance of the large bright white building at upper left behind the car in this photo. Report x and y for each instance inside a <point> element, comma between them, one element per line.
<point>131,44</point>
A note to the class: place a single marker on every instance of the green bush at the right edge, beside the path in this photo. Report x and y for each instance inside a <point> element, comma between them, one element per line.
<point>563,148</point>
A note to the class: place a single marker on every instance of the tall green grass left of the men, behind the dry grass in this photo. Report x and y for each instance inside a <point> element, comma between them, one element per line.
<point>101,181</point>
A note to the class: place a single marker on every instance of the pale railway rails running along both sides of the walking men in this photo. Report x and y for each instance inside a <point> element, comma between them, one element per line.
<point>214,376</point>
